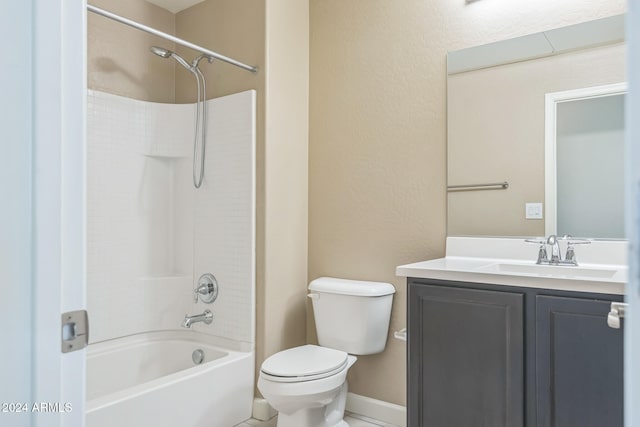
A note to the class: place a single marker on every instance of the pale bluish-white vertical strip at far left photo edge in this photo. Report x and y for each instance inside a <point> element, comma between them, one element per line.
<point>15,213</point>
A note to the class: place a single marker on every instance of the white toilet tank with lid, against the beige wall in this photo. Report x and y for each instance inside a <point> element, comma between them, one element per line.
<point>351,315</point>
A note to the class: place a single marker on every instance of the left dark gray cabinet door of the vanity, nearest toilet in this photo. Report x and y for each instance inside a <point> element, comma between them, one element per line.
<point>466,357</point>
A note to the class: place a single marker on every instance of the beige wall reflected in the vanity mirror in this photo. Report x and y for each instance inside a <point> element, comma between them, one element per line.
<point>485,145</point>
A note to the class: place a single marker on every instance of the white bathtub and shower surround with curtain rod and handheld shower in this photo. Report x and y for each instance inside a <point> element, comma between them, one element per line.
<point>150,235</point>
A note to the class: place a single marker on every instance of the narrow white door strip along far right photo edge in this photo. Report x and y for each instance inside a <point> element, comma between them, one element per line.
<point>632,326</point>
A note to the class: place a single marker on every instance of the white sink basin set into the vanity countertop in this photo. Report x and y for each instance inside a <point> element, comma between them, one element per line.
<point>562,271</point>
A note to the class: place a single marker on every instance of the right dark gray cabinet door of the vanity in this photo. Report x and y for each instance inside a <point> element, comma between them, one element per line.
<point>579,366</point>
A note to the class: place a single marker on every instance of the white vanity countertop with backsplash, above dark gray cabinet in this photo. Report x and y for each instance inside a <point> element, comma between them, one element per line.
<point>511,262</point>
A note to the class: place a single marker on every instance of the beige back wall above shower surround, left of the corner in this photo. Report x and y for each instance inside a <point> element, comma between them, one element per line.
<point>118,57</point>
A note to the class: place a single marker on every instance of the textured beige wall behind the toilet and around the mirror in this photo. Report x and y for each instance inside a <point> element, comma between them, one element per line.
<point>377,143</point>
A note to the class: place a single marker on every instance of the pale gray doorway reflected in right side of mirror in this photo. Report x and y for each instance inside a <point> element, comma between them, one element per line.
<point>589,165</point>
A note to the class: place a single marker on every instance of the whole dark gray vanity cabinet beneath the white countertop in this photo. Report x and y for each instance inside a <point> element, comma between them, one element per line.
<point>493,356</point>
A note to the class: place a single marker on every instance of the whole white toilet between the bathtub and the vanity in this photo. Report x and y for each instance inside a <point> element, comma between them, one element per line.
<point>307,385</point>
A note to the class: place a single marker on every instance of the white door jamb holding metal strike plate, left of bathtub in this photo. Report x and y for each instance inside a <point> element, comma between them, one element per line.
<point>58,256</point>
